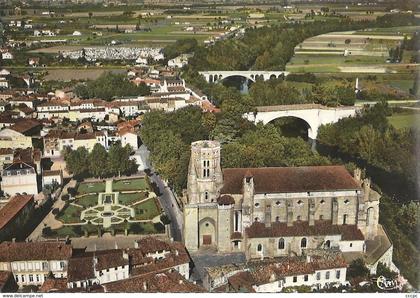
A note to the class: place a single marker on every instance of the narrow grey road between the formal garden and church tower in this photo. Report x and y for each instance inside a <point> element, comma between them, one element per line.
<point>170,206</point>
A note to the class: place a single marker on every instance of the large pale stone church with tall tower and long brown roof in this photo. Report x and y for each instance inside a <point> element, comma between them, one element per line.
<point>280,211</point>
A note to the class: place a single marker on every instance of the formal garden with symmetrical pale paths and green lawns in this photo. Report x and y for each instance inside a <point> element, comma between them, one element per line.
<point>115,206</point>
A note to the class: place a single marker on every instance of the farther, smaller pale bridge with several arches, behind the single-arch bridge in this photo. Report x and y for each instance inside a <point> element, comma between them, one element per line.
<point>253,75</point>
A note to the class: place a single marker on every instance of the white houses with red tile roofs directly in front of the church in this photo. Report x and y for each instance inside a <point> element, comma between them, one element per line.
<point>317,270</point>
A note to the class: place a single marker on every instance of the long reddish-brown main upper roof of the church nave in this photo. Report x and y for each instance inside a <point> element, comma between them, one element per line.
<point>289,179</point>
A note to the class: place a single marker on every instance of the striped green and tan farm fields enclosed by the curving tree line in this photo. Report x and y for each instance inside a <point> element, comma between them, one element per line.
<point>364,51</point>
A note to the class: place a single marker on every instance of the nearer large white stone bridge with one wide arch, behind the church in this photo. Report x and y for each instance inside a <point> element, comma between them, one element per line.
<point>314,115</point>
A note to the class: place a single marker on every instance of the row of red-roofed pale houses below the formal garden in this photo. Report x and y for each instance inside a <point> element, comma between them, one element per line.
<point>53,264</point>
